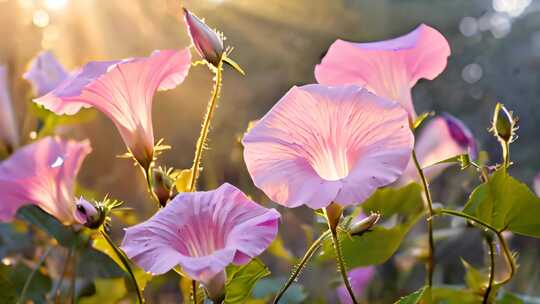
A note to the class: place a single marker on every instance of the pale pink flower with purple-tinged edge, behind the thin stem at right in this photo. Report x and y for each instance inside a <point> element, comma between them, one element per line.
<point>441,138</point>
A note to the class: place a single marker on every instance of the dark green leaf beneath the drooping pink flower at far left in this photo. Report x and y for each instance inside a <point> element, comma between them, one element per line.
<point>42,220</point>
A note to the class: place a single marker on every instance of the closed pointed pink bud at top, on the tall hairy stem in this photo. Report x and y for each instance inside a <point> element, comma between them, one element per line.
<point>207,42</point>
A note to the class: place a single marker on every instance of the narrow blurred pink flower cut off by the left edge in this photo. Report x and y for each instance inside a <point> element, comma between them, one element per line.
<point>9,135</point>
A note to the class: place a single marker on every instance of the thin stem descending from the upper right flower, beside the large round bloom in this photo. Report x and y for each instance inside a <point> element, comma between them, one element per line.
<point>429,204</point>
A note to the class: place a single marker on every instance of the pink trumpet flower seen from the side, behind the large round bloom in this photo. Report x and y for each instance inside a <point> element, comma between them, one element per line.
<point>389,68</point>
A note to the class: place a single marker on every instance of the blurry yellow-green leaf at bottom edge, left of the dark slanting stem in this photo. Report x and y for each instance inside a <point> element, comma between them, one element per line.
<point>107,291</point>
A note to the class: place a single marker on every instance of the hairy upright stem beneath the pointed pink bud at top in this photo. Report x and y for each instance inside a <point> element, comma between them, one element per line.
<point>201,142</point>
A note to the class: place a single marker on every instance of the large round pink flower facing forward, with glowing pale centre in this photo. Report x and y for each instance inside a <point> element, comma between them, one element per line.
<point>322,144</point>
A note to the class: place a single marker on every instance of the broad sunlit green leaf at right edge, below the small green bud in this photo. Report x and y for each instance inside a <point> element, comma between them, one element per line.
<point>506,204</point>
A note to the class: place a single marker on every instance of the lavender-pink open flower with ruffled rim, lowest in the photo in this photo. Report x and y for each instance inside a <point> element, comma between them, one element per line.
<point>202,232</point>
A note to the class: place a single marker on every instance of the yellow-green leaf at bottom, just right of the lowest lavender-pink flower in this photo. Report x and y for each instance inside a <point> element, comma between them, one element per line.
<point>242,279</point>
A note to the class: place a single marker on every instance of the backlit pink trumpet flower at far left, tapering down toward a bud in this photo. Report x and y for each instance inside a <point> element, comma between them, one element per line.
<point>43,173</point>
